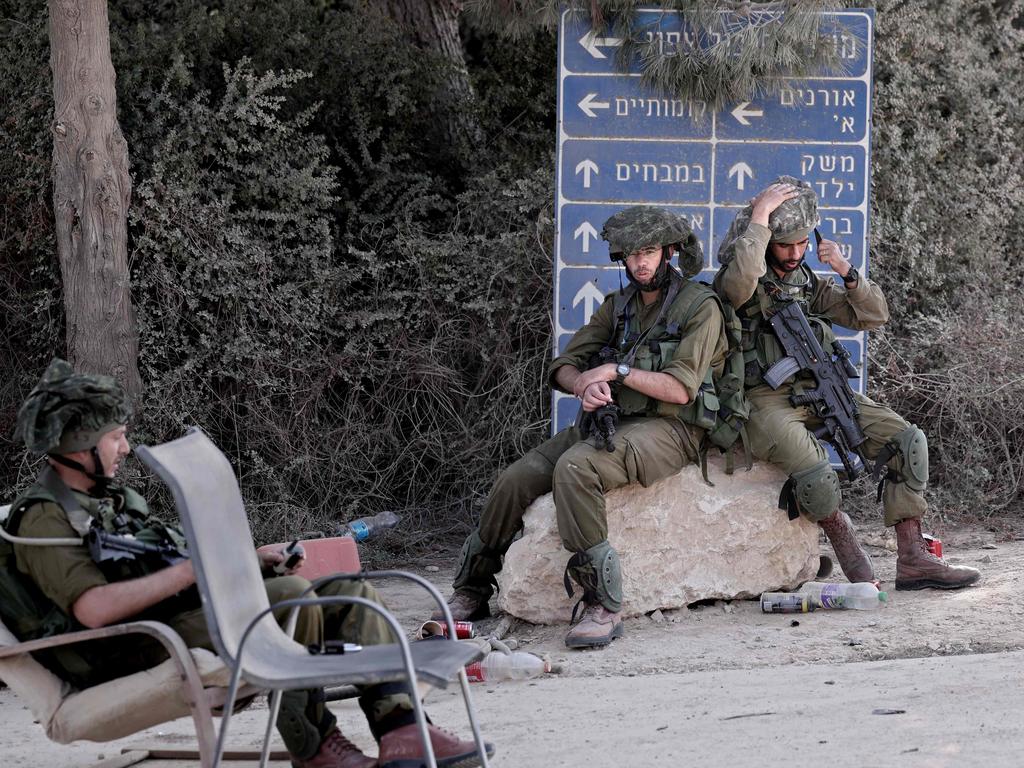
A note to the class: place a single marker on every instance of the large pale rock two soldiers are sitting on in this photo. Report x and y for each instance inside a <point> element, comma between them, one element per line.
<point>680,541</point>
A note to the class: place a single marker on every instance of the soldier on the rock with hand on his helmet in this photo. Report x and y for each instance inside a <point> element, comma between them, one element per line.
<point>763,268</point>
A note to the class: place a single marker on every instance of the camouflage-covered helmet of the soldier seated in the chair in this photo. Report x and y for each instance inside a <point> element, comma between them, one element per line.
<point>68,412</point>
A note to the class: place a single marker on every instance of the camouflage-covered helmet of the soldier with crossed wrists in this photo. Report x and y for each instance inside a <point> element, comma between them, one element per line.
<point>642,227</point>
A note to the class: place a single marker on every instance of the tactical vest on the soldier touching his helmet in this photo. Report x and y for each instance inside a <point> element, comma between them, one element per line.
<point>761,348</point>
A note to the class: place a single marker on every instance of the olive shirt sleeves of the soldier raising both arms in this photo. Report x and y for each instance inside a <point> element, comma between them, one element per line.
<point>863,308</point>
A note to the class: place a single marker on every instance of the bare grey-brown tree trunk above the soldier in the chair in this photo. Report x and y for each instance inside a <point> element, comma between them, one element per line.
<point>92,190</point>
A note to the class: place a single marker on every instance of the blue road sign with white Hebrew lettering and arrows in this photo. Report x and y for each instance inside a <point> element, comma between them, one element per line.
<point>620,145</point>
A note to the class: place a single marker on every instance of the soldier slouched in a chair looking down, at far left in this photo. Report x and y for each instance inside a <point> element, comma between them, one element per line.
<point>80,421</point>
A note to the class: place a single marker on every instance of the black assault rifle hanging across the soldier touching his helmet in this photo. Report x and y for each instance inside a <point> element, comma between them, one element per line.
<point>832,400</point>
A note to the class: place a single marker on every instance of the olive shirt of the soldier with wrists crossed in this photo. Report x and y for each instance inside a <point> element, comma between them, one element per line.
<point>703,345</point>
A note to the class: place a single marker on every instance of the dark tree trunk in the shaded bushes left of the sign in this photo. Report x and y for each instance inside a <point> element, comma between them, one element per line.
<point>434,25</point>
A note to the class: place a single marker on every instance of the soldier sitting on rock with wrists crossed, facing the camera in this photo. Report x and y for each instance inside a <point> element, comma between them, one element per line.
<point>650,351</point>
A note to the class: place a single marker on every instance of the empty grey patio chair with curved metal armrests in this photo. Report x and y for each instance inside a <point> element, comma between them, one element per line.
<point>194,459</point>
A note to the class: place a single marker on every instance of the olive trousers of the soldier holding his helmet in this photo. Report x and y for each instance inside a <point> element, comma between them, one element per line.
<point>782,434</point>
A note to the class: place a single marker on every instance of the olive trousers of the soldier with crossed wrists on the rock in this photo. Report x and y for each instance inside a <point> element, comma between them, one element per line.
<point>580,474</point>
